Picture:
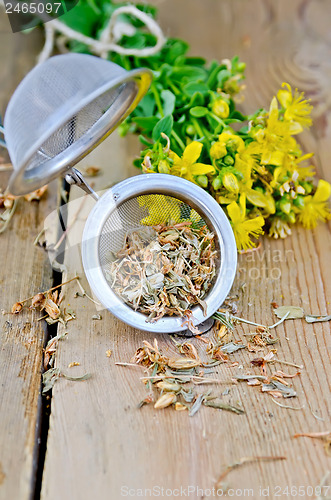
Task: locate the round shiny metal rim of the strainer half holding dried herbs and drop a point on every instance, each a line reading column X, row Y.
column 167, row 185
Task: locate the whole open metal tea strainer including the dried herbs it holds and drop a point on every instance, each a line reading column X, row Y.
column 158, row 251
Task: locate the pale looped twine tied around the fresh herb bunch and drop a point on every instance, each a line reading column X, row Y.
column 105, row 44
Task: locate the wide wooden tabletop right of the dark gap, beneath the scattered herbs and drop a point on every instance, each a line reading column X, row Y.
column 98, row 440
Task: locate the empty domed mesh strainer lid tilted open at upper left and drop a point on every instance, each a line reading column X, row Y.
column 62, row 110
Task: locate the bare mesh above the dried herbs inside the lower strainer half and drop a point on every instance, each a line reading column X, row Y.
column 141, row 212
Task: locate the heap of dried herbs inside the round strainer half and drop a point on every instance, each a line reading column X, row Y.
column 165, row 270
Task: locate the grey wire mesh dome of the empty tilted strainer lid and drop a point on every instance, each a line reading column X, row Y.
column 48, row 94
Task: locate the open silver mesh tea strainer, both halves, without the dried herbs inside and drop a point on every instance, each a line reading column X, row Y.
column 62, row 110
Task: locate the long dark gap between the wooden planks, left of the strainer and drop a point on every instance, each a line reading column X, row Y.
column 45, row 402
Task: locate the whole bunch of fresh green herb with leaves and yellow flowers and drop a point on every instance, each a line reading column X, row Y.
column 191, row 127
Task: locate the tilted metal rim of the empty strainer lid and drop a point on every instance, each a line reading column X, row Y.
column 22, row 182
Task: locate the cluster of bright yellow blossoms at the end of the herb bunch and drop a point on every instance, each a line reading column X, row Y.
column 256, row 173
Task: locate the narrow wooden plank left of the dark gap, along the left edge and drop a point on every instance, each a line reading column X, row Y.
column 24, row 270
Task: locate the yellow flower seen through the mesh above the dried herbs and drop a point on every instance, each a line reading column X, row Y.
column 161, row 209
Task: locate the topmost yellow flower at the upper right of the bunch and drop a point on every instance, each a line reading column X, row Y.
column 297, row 108
